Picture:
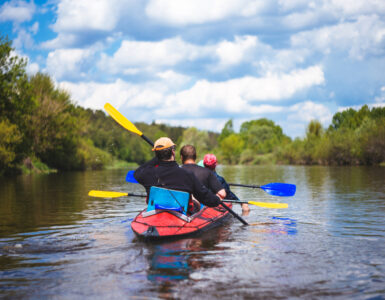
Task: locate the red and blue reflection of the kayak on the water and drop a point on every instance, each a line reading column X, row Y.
column 176, row 260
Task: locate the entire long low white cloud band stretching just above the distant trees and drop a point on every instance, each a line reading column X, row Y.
column 157, row 100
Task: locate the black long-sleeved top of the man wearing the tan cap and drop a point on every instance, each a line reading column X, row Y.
column 169, row 175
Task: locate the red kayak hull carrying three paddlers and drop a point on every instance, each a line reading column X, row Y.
column 163, row 223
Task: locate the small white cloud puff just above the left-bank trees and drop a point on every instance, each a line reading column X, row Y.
column 68, row 62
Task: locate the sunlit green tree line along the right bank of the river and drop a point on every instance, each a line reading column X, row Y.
column 355, row 137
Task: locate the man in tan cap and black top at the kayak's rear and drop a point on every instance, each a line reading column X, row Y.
column 163, row 171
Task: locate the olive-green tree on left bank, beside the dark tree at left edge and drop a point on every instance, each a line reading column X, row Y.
column 54, row 129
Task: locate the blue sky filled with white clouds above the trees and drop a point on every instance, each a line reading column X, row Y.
column 202, row 62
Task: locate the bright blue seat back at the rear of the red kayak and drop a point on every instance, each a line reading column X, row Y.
column 161, row 198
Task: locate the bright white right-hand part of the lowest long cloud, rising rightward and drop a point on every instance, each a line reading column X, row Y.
column 237, row 96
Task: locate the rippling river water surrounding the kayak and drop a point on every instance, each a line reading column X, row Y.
column 57, row 242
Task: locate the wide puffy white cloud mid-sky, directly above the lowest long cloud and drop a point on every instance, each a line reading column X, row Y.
column 134, row 57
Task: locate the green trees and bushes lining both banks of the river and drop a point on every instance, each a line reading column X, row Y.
column 42, row 131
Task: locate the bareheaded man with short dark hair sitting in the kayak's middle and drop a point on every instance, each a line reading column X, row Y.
column 188, row 156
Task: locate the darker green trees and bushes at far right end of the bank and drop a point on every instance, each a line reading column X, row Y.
column 353, row 138
